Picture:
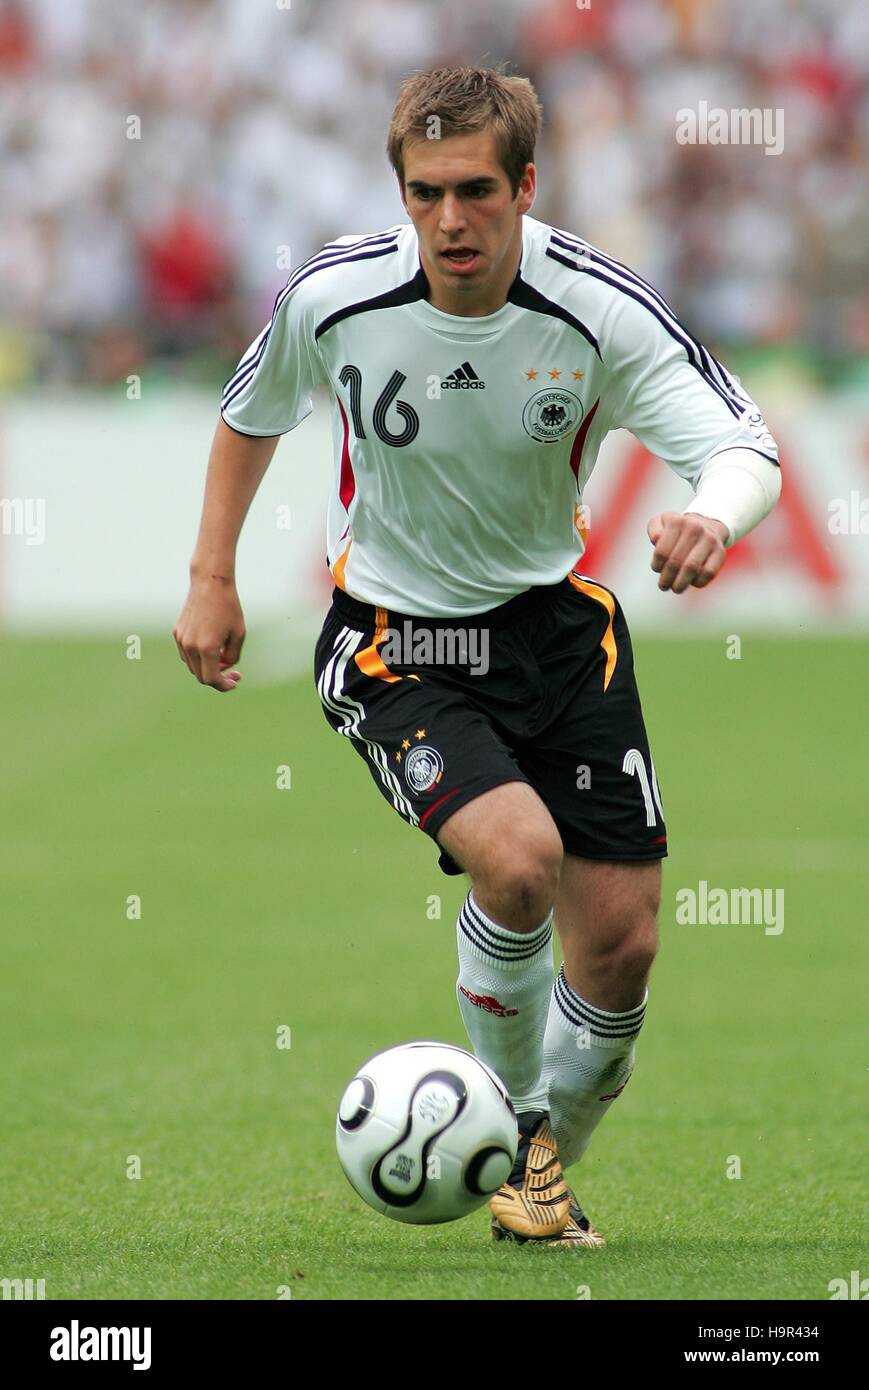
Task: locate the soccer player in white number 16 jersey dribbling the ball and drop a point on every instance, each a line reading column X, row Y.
column 476, row 358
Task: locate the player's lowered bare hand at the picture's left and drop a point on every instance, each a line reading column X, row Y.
column 211, row 632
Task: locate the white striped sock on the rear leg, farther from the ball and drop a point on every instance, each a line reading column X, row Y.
column 589, row 1057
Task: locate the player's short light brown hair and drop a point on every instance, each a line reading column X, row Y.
column 466, row 101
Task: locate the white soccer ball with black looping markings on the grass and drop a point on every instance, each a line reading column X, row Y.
column 426, row 1132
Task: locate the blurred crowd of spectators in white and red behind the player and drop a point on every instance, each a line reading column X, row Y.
column 158, row 245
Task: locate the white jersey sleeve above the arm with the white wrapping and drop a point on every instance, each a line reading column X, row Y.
column 672, row 394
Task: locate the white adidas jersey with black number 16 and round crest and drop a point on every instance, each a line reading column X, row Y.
column 462, row 445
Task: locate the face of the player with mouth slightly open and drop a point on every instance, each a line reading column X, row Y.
column 468, row 222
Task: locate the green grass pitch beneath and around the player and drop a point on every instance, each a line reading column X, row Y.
column 308, row 908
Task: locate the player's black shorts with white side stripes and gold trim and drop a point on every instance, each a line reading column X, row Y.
column 539, row 690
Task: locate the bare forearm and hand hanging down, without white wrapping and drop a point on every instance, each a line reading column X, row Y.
column 211, row 629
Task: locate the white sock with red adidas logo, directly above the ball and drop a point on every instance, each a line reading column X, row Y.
column 504, row 989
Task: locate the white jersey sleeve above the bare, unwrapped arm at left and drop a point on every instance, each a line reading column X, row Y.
column 270, row 391
